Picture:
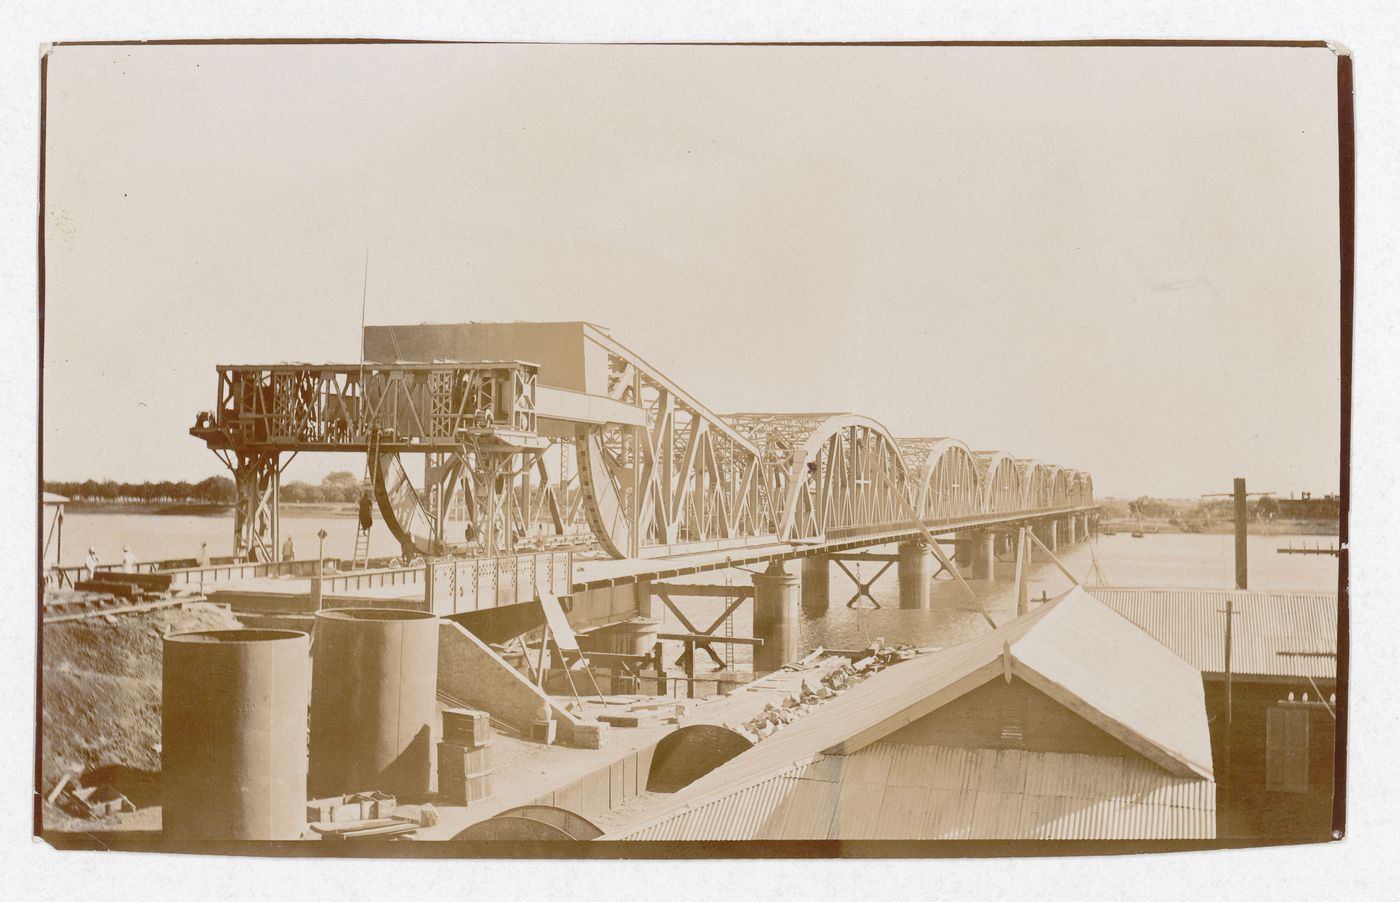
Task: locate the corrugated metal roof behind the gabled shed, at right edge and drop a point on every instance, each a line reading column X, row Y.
column 1290, row 635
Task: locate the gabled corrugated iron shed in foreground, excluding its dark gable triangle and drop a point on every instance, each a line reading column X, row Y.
column 831, row 775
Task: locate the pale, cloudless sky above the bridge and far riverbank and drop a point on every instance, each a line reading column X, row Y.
column 1118, row 260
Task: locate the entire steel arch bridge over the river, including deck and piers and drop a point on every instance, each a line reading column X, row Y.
column 556, row 460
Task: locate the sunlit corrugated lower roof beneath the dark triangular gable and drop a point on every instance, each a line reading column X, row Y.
column 929, row 792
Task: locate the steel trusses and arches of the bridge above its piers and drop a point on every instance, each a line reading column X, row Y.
column 589, row 446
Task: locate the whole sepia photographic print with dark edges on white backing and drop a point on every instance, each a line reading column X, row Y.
column 689, row 452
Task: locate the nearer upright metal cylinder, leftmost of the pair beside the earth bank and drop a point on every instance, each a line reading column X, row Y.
column 234, row 735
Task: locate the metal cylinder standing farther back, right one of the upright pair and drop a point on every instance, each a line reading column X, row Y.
column 373, row 701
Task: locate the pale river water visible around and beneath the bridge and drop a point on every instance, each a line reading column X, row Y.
column 1185, row 561
